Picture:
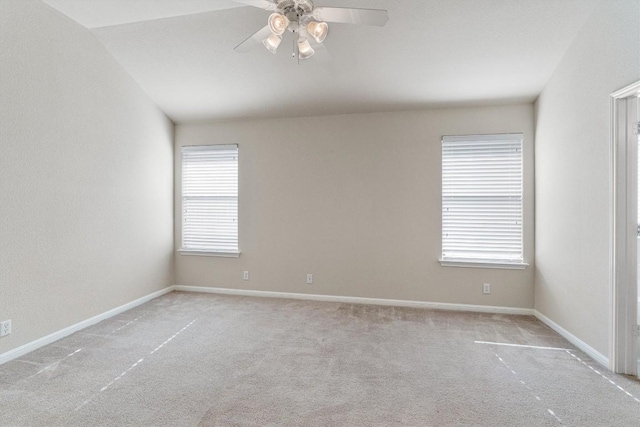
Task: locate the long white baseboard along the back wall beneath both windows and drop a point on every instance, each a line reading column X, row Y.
column 359, row 300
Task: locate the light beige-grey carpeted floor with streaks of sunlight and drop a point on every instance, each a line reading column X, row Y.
column 208, row 360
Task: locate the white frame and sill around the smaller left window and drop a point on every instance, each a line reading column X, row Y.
column 208, row 251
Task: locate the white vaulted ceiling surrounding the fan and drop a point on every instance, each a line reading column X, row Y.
column 431, row 53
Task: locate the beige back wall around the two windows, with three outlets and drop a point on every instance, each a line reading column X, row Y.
column 355, row 200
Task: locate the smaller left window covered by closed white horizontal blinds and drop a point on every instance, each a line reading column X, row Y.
column 210, row 200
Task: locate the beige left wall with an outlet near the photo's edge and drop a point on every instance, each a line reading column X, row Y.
column 86, row 178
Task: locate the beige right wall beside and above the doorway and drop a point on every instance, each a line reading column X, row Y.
column 572, row 171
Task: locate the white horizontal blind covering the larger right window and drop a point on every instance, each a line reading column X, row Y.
column 482, row 198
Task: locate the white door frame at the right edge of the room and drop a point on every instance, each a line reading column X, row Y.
column 623, row 231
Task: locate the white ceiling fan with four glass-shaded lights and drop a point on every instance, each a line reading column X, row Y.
column 309, row 24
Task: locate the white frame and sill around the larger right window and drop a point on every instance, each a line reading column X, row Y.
column 488, row 262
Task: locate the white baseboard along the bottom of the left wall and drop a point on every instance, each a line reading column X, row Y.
column 41, row 342
